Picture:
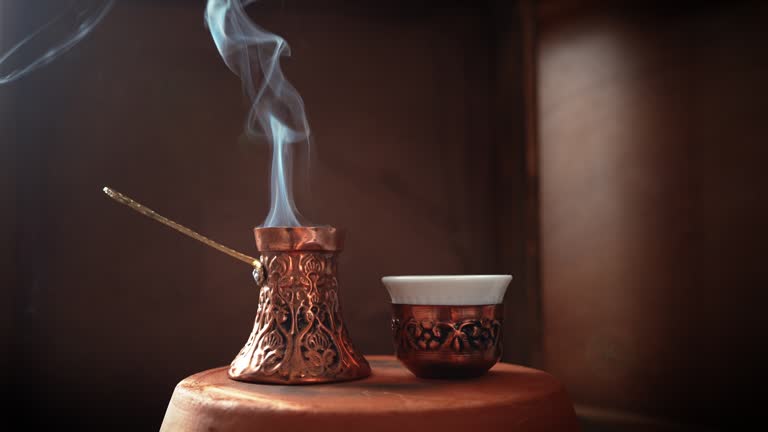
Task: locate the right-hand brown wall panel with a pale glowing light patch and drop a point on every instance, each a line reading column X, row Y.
column 652, row 142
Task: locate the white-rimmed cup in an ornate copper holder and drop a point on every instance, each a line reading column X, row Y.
column 447, row 326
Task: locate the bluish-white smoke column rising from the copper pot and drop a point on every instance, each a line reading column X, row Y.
column 277, row 111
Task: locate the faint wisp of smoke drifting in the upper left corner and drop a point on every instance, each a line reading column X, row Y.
column 46, row 43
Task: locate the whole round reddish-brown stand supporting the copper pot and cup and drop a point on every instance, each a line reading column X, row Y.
column 508, row 398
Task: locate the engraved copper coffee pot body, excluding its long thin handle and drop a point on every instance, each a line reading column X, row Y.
column 299, row 336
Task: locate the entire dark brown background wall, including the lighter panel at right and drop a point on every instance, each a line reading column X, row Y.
column 608, row 154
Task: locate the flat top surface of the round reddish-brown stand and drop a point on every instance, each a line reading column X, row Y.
column 390, row 388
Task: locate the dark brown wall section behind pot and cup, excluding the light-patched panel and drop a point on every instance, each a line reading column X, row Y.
column 416, row 113
